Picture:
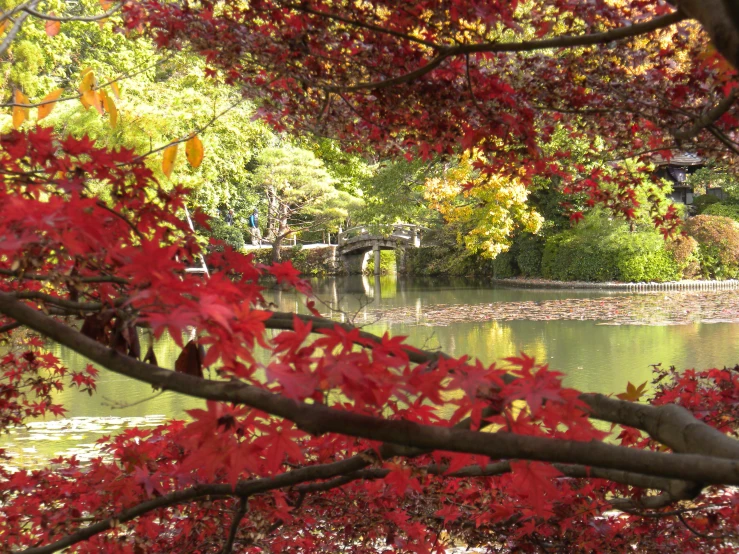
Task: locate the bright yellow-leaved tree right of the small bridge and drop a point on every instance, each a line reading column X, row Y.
column 489, row 208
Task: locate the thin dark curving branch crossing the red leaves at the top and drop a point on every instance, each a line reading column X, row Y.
column 569, row 41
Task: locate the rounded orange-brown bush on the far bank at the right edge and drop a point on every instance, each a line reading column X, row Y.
column 718, row 245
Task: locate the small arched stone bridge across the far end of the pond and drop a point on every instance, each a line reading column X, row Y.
column 356, row 243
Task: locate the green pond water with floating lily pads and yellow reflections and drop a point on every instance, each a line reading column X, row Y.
column 600, row 340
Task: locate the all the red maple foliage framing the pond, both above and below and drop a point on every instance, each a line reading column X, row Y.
column 336, row 442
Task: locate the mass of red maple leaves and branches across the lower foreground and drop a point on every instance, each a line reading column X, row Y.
column 338, row 440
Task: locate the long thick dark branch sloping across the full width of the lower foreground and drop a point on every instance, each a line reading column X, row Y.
column 319, row 419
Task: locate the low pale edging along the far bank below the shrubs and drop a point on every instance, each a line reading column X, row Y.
column 684, row 285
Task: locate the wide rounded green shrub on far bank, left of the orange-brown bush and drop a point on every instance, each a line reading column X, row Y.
column 602, row 250
